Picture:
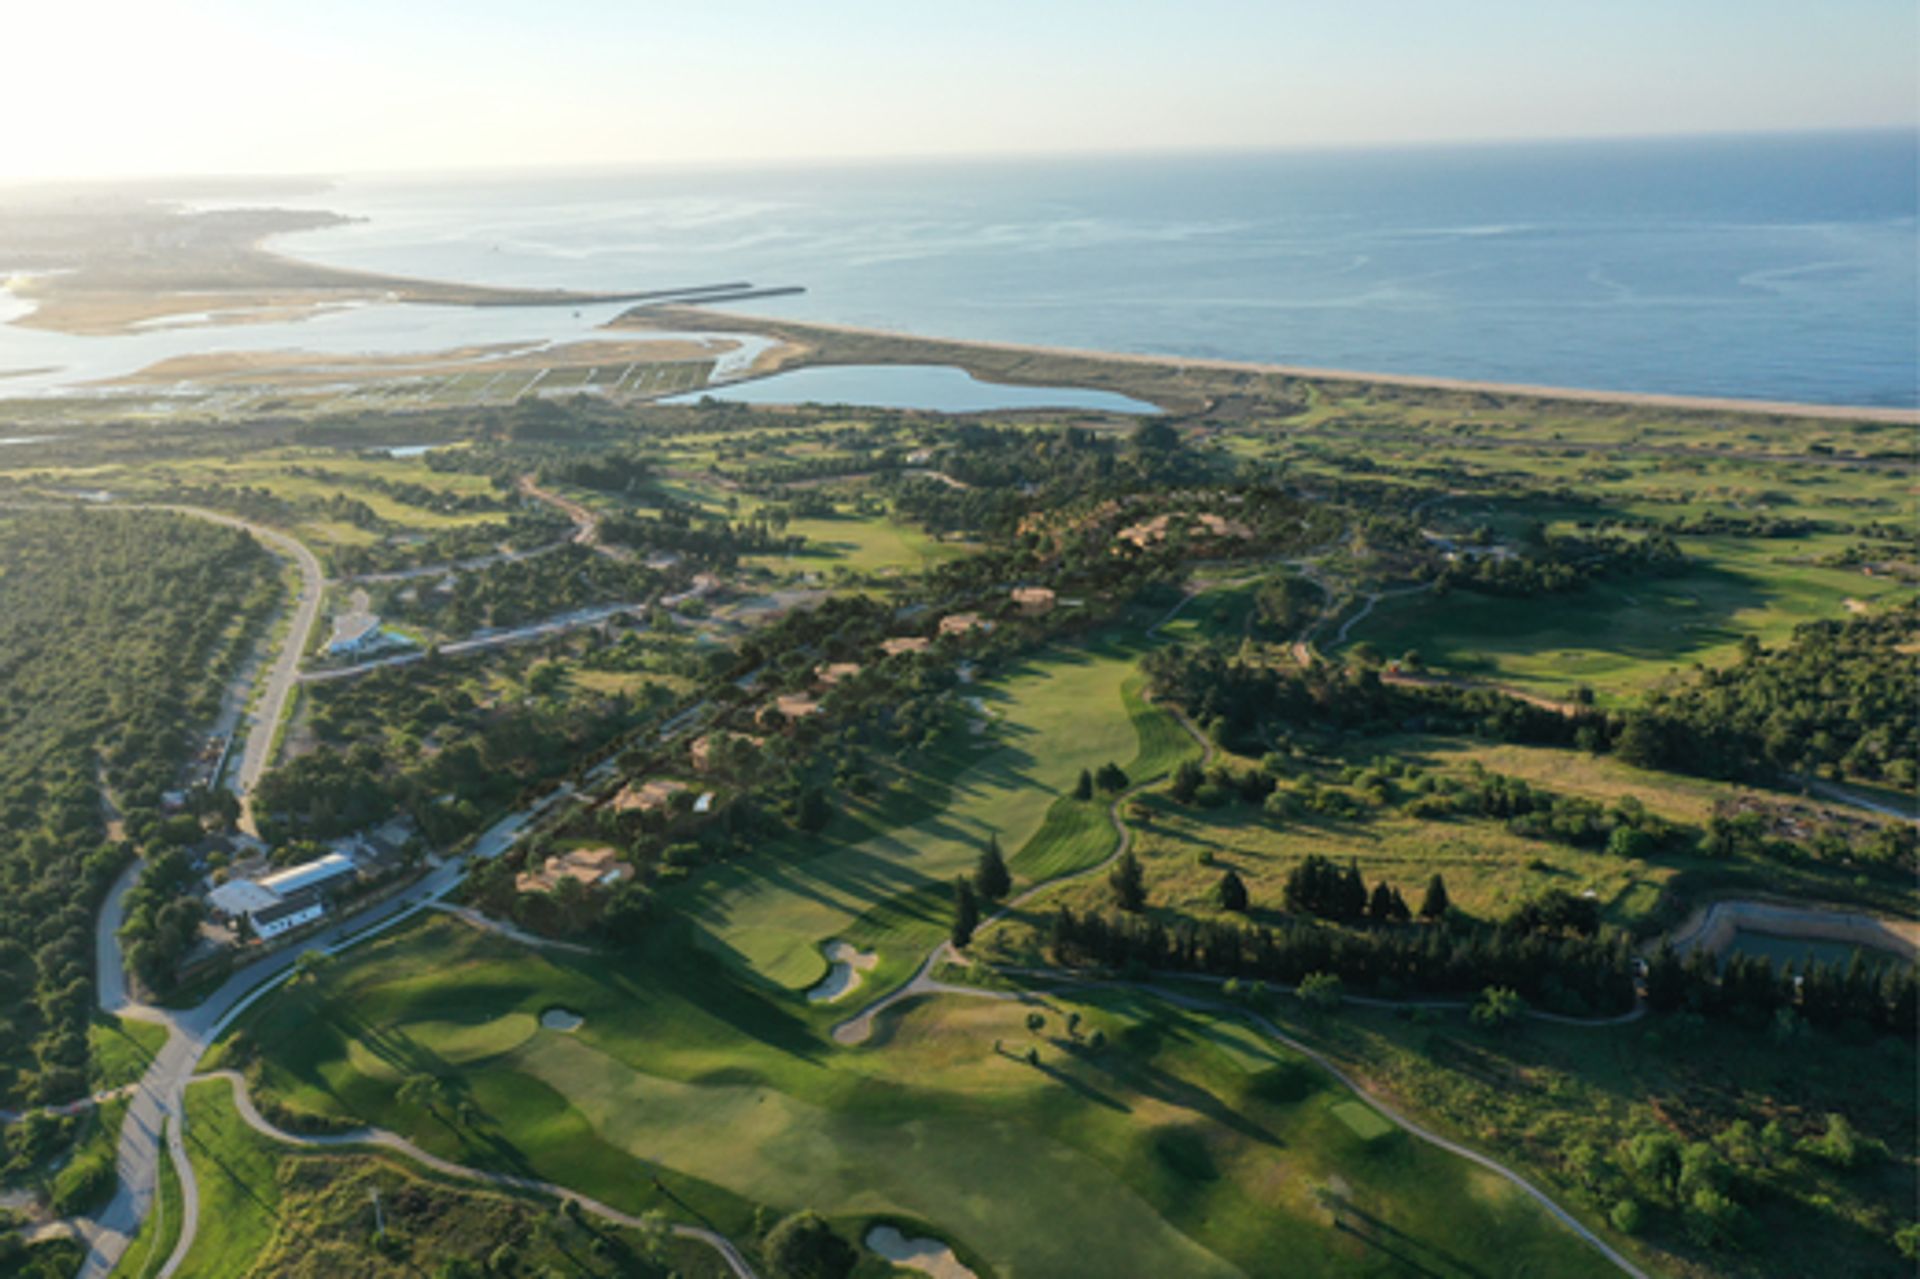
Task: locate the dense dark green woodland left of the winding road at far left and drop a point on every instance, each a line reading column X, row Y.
column 120, row 631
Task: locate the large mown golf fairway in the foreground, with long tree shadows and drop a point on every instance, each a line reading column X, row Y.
column 1184, row 1146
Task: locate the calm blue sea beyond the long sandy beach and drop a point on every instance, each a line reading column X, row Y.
column 1775, row 268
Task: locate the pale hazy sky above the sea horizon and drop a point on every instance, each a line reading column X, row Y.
column 114, row 87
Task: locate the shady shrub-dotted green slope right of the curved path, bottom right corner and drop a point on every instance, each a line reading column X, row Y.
column 1564, row 1101
